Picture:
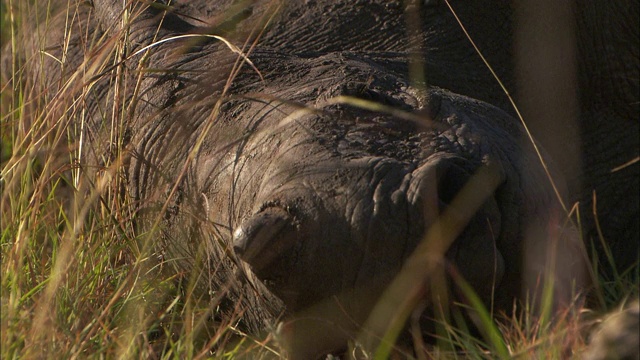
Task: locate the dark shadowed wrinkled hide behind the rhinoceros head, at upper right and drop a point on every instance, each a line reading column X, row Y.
column 595, row 60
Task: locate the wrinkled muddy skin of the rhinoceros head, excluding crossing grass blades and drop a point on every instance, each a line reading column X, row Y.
column 290, row 209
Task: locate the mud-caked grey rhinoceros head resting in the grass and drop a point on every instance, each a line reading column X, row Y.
column 288, row 180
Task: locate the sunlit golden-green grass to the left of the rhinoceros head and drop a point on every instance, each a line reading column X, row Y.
column 77, row 280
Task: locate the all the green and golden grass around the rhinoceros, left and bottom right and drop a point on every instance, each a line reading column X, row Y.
column 78, row 279
